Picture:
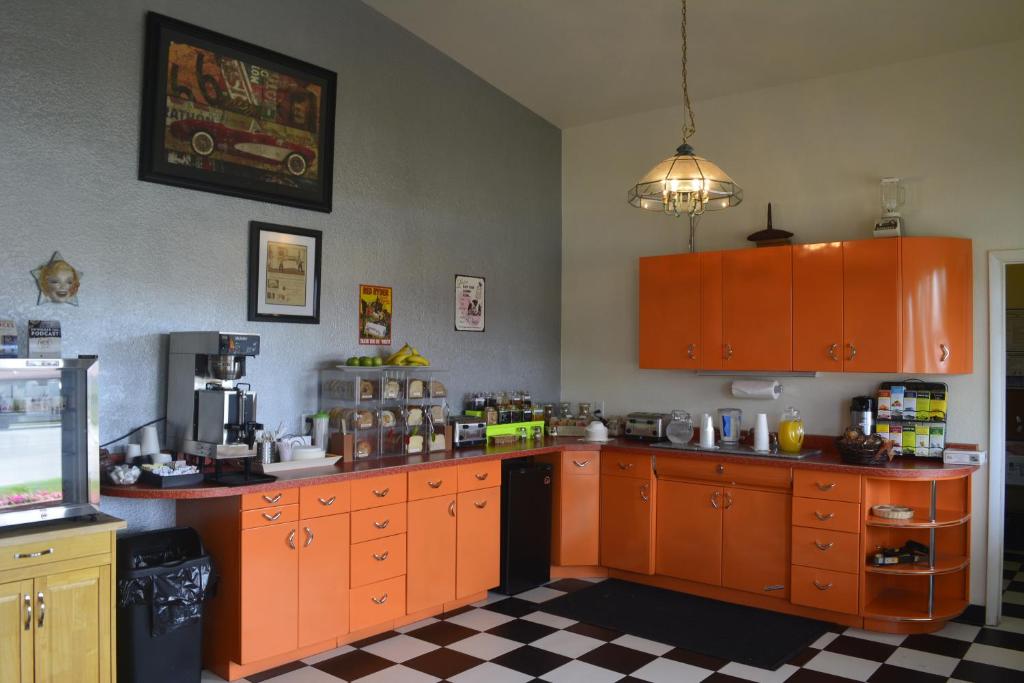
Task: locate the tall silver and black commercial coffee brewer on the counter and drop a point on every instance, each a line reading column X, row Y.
column 210, row 412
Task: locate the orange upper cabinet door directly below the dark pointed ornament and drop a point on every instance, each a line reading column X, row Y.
column 757, row 309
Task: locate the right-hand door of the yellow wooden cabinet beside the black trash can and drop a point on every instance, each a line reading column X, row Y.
column 73, row 627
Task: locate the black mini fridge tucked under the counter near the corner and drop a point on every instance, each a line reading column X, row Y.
column 526, row 560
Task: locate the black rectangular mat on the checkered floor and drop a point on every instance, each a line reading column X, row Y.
column 756, row 637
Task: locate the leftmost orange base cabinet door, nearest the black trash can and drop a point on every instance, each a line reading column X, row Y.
column 270, row 591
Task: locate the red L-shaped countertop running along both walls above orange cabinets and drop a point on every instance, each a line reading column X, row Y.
column 901, row 468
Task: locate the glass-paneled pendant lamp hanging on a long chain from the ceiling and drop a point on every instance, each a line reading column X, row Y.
column 686, row 184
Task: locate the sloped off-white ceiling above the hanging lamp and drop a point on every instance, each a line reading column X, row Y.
column 577, row 62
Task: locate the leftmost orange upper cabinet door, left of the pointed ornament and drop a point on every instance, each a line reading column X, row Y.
column 670, row 312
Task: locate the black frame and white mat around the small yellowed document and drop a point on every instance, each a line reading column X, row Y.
column 264, row 312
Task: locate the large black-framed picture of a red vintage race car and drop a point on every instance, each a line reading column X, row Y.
column 224, row 116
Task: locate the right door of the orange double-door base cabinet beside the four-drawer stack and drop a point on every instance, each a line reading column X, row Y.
column 756, row 542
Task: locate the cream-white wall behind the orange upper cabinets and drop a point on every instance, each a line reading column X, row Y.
column 951, row 125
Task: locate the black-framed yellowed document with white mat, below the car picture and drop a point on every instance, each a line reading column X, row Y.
column 284, row 274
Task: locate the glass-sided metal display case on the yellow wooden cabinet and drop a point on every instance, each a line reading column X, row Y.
column 50, row 440
